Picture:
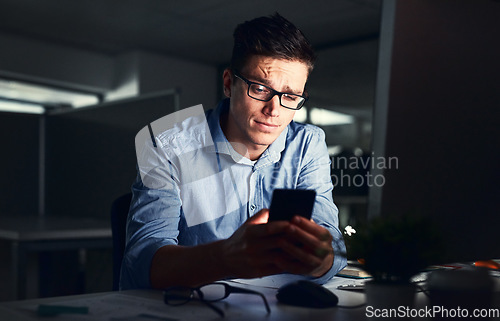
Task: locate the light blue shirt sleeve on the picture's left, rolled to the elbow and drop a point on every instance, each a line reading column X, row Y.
column 154, row 215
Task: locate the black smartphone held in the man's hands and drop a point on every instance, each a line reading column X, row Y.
column 286, row 203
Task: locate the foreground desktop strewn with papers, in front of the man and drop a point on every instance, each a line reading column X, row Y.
column 148, row 305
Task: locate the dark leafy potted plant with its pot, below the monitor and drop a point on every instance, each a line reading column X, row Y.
column 393, row 250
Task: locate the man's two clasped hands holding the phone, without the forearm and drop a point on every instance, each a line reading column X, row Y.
column 257, row 249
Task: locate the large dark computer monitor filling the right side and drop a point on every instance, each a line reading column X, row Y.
column 437, row 112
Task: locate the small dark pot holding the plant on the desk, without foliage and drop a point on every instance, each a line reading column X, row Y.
column 388, row 299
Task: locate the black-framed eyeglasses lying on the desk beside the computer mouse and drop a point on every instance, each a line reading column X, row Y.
column 179, row 295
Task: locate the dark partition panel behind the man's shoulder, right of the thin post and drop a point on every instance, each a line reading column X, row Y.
column 90, row 157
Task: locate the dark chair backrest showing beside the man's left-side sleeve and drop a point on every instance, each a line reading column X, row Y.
column 119, row 213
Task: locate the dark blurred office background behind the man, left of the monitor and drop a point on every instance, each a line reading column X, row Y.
column 136, row 50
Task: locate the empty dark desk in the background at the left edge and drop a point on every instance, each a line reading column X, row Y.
column 34, row 234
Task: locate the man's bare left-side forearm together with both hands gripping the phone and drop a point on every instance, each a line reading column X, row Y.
column 256, row 249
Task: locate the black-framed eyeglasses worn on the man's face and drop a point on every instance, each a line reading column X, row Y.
column 264, row 93
